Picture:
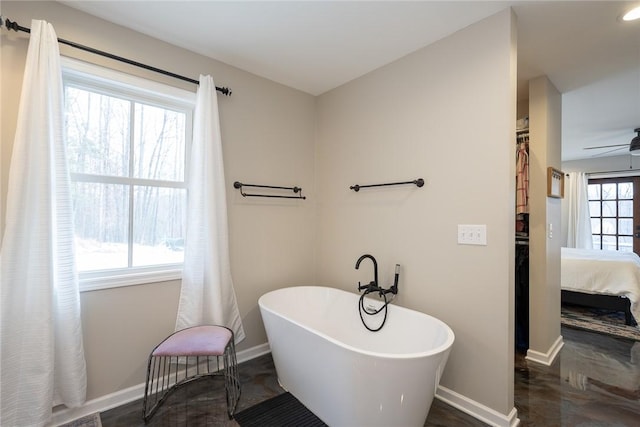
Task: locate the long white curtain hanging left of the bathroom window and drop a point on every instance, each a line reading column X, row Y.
column 42, row 353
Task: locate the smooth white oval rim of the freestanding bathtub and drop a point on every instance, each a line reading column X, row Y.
column 444, row 347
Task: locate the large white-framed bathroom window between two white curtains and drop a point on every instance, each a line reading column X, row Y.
column 127, row 146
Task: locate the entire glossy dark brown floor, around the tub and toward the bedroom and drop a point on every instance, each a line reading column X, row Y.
column 594, row 382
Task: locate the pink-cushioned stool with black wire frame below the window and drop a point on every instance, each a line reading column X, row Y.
column 186, row 356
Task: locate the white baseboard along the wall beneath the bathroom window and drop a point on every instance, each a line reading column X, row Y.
column 121, row 397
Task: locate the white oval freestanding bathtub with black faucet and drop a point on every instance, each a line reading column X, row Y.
column 345, row 374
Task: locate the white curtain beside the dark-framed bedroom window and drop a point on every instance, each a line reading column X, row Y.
column 579, row 222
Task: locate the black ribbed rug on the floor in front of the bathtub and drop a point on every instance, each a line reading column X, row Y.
column 282, row 410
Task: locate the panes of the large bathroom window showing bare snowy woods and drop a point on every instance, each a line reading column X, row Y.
column 127, row 163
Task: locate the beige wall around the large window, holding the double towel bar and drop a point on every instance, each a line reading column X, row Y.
column 268, row 133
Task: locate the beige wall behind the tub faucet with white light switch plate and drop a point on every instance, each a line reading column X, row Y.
column 445, row 113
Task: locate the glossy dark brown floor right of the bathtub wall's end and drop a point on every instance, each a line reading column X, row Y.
column 594, row 382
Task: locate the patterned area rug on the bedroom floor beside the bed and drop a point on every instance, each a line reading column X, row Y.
column 600, row 321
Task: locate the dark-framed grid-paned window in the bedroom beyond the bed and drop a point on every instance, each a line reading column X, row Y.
column 611, row 207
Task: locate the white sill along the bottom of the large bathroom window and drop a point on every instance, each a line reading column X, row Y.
column 96, row 282
